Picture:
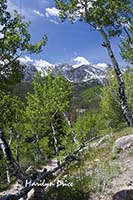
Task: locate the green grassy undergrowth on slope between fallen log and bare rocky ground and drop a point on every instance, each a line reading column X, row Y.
column 92, row 176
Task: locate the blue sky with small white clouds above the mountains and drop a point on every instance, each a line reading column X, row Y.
column 67, row 43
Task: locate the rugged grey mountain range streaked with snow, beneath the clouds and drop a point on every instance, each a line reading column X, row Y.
column 80, row 74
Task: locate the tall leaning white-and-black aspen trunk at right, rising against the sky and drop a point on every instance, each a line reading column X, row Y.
column 123, row 100
